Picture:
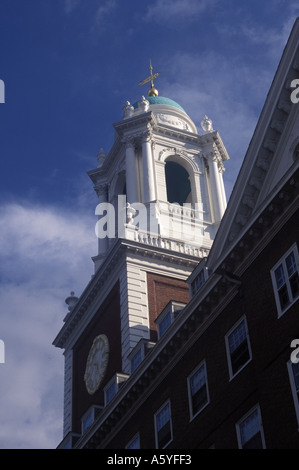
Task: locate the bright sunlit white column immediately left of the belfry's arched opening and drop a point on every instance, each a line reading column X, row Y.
column 148, row 169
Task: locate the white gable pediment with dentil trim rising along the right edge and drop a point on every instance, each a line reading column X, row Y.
column 262, row 169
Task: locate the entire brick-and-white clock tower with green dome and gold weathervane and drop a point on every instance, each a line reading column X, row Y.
column 160, row 201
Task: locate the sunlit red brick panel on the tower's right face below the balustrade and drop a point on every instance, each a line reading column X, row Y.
column 161, row 290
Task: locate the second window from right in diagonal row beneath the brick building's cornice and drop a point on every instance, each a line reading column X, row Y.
column 238, row 347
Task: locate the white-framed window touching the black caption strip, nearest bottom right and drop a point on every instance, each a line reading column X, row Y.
column 250, row 432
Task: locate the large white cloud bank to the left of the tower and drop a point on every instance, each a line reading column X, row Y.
column 44, row 254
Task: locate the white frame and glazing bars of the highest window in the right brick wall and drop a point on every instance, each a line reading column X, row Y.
column 282, row 262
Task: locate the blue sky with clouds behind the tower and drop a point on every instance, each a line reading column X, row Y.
column 68, row 67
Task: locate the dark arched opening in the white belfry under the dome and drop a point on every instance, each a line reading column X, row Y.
column 177, row 183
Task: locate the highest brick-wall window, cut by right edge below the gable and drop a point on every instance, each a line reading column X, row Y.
column 285, row 280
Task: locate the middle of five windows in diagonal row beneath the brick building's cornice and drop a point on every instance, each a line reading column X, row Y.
column 198, row 390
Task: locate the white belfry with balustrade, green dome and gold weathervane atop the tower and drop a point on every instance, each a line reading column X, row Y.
column 160, row 163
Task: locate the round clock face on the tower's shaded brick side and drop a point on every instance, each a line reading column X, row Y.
column 96, row 363
